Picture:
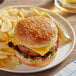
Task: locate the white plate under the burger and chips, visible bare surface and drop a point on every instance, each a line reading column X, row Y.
column 62, row 53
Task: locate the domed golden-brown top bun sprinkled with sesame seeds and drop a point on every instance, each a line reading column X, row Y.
column 36, row 32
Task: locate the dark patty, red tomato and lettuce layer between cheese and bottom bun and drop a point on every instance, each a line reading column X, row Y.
column 28, row 53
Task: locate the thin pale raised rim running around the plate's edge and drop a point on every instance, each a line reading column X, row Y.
column 34, row 71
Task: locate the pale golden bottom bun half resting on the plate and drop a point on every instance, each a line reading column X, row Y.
column 37, row 62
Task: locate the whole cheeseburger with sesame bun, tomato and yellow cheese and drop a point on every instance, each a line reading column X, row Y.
column 38, row 41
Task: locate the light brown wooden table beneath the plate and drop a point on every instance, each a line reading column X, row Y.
column 49, row 4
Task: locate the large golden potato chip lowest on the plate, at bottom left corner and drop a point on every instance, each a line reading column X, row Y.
column 9, row 62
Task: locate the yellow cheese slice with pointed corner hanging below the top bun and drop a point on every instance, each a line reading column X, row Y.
column 42, row 51
